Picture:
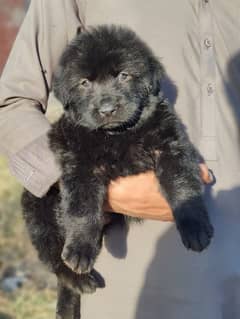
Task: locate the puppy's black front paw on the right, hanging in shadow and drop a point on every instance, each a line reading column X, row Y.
column 195, row 229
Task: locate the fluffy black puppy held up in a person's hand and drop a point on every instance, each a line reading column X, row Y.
column 115, row 124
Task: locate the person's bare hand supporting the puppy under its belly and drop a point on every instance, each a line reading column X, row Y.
column 139, row 196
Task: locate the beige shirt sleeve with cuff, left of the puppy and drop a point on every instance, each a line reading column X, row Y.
column 24, row 89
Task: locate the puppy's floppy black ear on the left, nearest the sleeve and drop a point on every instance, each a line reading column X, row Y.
column 59, row 88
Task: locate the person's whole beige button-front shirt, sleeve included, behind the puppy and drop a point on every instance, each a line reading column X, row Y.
column 198, row 41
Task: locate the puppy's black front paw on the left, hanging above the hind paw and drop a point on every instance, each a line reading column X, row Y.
column 79, row 257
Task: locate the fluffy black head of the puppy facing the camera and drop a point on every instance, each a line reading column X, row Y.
column 106, row 79
